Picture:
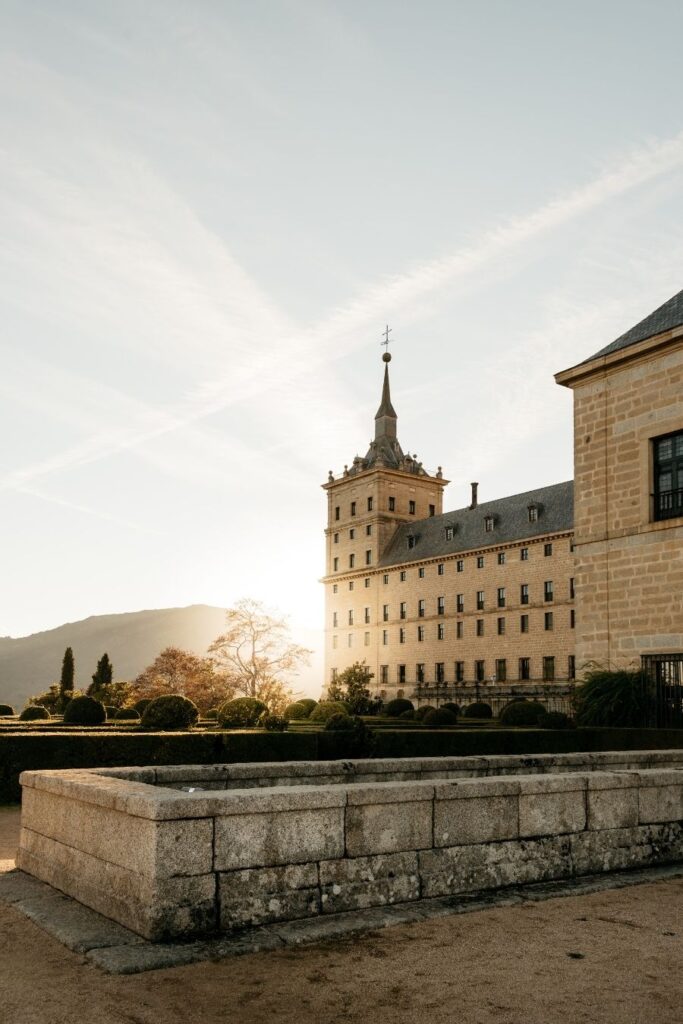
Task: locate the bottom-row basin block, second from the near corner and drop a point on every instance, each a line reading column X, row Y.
column 263, row 895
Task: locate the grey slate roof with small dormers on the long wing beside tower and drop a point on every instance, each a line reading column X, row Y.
column 511, row 523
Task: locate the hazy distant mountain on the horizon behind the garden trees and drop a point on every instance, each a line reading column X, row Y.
column 29, row 665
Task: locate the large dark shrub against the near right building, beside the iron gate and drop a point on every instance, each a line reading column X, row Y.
column 613, row 699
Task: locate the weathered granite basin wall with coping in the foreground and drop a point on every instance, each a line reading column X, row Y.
column 175, row 852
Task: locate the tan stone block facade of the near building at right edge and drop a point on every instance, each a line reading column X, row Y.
column 629, row 562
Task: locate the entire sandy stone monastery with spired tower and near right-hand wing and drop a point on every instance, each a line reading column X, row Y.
column 517, row 596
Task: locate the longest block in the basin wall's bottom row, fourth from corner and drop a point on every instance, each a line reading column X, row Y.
column 468, row 869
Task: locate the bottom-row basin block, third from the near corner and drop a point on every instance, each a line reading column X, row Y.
column 357, row 883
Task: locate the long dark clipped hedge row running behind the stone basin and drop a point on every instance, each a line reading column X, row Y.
column 26, row 751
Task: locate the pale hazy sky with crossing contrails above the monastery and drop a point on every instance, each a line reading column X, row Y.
column 209, row 211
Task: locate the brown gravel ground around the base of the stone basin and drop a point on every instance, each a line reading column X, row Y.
column 613, row 958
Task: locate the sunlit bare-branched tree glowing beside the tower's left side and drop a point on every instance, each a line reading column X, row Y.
column 258, row 656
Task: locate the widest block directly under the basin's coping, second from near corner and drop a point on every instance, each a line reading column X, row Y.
column 279, row 838
